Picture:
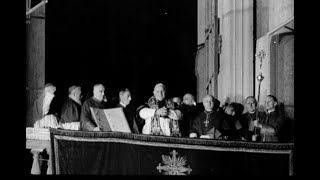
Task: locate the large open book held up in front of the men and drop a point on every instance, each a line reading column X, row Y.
column 112, row 119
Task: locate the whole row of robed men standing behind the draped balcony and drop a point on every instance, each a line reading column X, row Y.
column 164, row 116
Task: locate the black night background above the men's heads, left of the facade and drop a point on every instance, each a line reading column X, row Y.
column 131, row 44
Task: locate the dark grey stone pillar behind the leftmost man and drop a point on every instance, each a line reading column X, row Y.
column 35, row 60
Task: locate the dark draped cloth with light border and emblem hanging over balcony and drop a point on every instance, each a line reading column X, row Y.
column 117, row 153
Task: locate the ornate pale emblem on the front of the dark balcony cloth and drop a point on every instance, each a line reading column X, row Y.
column 174, row 165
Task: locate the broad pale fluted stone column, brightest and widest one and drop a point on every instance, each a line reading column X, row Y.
column 235, row 79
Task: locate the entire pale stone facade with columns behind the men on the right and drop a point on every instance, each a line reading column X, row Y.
column 246, row 27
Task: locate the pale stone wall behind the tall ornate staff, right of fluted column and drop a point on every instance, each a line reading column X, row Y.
column 270, row 15
